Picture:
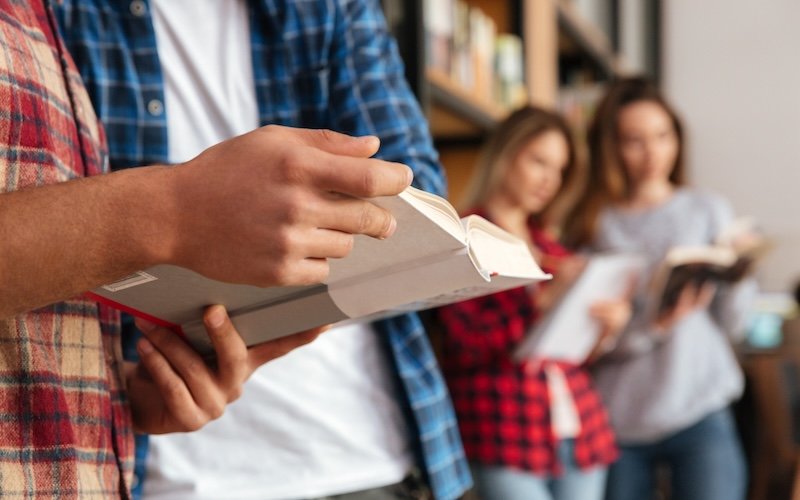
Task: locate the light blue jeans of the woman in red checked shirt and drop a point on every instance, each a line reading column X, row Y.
column 504, row 483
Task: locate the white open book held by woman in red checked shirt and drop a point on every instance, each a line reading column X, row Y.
column 568, row 332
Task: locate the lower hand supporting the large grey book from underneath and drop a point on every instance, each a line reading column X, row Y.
column 173, row 389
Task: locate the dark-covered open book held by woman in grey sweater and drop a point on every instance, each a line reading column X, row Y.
column 729, row 259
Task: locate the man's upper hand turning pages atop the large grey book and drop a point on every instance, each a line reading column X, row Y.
column 269, row 207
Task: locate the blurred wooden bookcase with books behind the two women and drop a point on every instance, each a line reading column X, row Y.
column 567, row 50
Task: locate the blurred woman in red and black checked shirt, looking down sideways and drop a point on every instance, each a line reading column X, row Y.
column 535, row 429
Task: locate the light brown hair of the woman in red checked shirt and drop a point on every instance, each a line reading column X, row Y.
column 503, row 147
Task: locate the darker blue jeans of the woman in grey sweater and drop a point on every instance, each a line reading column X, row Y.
column 705, row 462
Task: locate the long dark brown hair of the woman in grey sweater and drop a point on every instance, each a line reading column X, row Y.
column 608, row 180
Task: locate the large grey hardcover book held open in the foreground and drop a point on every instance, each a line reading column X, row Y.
column 434, row 258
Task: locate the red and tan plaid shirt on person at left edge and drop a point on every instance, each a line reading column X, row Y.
column 65, row 428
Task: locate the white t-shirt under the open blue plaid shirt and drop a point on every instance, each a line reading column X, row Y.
column 323, row 419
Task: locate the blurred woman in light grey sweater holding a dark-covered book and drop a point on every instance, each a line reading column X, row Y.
column 670, row 380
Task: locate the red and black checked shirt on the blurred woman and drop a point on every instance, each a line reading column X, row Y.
column 503, row 406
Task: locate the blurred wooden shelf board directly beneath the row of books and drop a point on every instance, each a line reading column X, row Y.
column 456, row 112
